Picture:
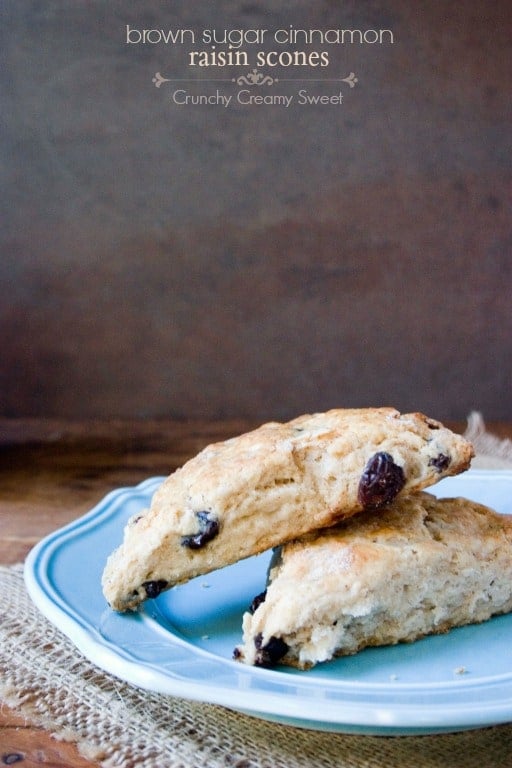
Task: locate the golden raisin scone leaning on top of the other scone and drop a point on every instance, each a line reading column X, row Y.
column 247, row 494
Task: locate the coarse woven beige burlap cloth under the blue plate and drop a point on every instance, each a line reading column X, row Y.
column 45, row 678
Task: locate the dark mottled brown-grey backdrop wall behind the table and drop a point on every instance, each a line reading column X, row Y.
column 164, row 261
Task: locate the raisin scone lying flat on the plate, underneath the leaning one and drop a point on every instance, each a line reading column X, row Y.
column 421, row 566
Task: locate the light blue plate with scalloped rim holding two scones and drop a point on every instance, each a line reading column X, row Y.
column 181, row 644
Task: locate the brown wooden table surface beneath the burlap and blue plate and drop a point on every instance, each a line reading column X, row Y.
column 51, row 472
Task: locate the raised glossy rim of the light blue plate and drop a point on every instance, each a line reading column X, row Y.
column 353, row 716
